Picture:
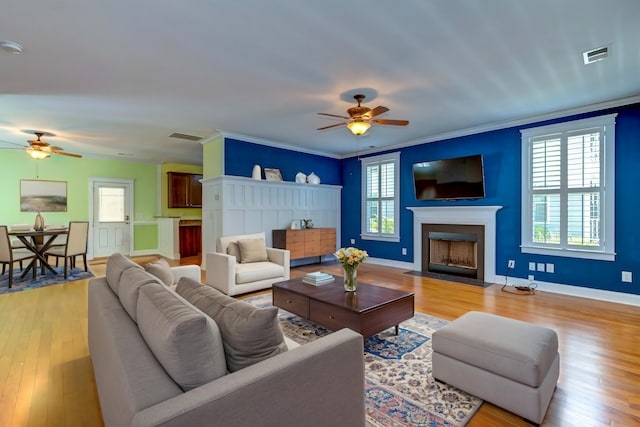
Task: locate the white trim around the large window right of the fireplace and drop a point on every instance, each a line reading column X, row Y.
column 608, row 206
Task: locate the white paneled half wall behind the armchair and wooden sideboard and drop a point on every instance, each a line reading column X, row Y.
column 237, row 205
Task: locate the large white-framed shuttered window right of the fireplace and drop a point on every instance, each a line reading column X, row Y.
column 568, row 189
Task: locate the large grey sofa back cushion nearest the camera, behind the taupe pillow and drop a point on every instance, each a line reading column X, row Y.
column 186, row 342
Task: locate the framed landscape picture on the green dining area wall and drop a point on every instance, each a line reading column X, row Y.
column 43, row 196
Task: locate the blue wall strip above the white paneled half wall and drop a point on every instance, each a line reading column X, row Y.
column 240, row 156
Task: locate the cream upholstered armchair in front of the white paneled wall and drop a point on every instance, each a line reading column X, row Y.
column 232, row 271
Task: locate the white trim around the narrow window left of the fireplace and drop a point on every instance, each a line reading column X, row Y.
column 384, row 158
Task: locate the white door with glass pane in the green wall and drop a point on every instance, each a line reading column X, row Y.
column 111, row 217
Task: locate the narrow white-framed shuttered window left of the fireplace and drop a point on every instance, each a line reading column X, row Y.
column 380, row 198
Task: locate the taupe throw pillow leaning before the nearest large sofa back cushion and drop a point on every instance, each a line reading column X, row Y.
column 249, row 334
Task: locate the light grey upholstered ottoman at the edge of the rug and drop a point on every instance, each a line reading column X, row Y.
column 510, row 363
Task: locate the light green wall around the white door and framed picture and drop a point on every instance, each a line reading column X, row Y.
column 16, row 165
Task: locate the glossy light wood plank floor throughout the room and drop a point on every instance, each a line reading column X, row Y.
column 46, row 378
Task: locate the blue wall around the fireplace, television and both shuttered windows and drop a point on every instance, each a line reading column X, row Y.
column 501, row 151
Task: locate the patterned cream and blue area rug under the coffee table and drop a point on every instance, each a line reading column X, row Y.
column 399, row 388
